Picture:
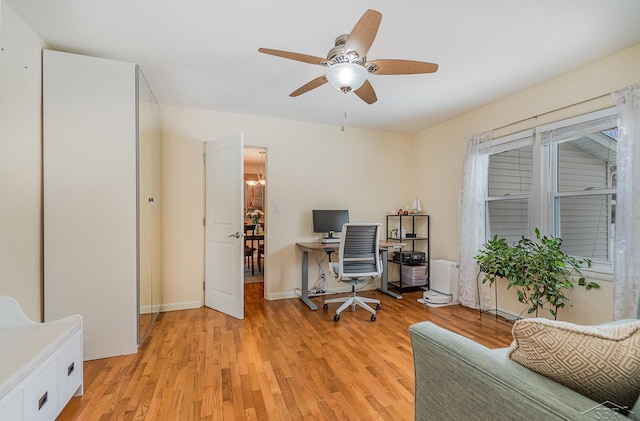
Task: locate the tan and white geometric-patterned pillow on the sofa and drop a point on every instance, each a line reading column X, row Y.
column 600, row 362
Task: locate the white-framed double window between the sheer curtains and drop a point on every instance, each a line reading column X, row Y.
column 560, row 178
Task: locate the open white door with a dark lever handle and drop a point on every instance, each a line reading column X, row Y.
column 224, row 232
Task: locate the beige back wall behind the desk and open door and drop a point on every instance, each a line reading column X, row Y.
column 307, row 166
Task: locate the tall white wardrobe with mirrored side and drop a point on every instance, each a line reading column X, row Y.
column 102, row 207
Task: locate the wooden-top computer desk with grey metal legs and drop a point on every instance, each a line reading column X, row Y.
column 329, row 248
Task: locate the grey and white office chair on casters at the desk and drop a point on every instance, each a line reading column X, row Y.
column 359, row 263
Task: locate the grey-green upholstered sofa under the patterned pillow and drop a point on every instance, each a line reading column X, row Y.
column 459, row 379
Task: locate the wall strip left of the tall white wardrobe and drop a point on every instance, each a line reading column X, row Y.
column 20, row 169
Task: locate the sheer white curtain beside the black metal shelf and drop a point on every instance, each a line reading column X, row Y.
column 471, row 210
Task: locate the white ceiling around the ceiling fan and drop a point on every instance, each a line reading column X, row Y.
column 204, row 53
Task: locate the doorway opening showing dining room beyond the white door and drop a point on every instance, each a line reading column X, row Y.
column 255, row 185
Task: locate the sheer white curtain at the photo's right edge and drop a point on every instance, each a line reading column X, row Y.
column 626, row 258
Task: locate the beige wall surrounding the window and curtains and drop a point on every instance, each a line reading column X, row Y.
column 441, row 149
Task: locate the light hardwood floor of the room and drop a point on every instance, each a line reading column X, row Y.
column 282, row 362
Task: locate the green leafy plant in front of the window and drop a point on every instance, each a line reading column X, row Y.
column 539, row 270
